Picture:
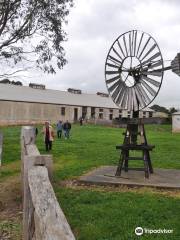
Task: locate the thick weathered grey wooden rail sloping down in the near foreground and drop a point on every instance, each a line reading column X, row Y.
column 50, row 222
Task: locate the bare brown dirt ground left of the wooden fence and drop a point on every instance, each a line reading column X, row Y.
column 10, row 209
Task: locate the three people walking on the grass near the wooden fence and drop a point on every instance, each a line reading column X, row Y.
column 49, row 134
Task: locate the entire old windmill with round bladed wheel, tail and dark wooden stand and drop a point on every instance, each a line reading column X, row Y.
column 134, row 71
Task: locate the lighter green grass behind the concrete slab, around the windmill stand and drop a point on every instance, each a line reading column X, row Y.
column 92, row 146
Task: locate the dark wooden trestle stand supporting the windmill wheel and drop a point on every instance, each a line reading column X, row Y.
column 135, row 128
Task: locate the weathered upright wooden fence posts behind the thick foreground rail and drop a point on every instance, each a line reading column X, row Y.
column 30, row 156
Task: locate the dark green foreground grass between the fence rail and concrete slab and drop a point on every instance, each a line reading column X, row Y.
column 114, row 216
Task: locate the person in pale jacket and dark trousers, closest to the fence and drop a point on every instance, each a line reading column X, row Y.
column 48, row 135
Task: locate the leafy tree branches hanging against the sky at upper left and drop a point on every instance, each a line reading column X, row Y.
column 31, row 34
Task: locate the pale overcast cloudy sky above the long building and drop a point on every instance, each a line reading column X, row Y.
column 93, row 25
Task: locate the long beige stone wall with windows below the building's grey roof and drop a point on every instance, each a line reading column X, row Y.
column 23, row 113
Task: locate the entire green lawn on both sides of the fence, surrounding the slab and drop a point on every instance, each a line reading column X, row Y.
column 99, row 213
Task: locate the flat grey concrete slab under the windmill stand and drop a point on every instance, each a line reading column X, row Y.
column 161, row 178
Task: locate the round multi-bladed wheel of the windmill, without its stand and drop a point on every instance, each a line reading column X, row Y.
column 134, row 70
